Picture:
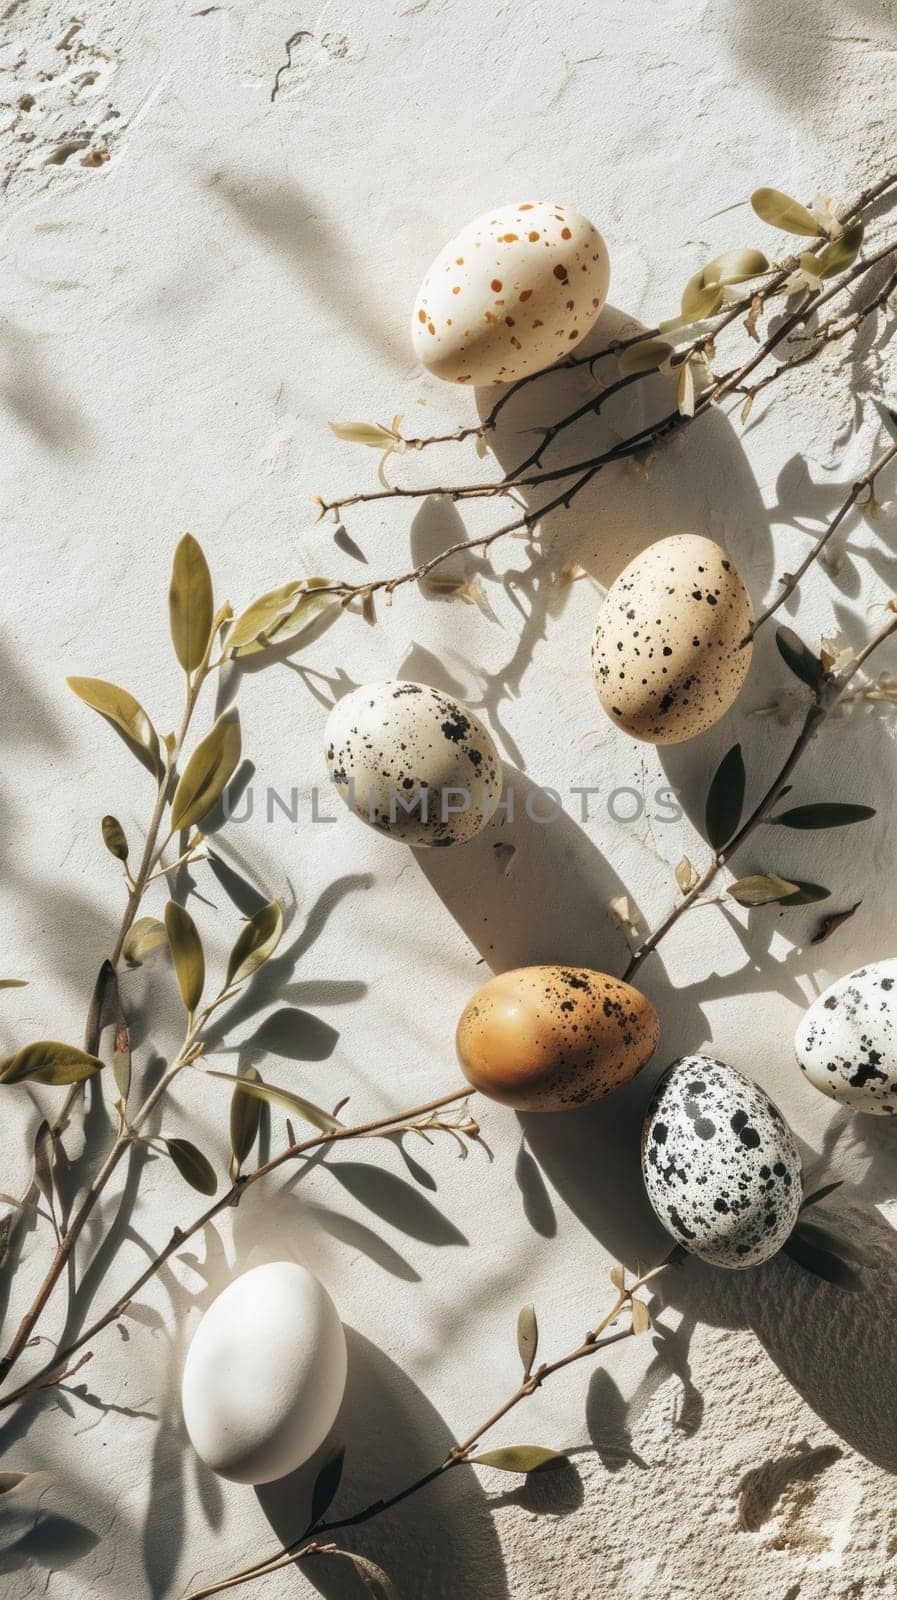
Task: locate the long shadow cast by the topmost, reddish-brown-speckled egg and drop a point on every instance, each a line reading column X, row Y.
column 700, row 481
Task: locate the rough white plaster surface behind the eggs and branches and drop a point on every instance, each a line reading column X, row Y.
column 177, row 327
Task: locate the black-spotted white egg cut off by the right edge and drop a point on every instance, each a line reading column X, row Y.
column 848, row 1039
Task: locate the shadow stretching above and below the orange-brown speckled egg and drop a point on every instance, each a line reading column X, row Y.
column 528, row 894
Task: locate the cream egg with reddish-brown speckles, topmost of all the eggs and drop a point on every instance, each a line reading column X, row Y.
column 512, row 294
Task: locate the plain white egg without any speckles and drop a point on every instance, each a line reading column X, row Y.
column 265, row 1375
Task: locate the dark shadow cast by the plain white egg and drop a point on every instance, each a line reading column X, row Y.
column 393, row 1434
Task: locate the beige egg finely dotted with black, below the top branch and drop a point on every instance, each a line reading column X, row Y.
column 668, row 652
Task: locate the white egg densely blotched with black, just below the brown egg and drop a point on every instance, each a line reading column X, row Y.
column 720, row 1164
